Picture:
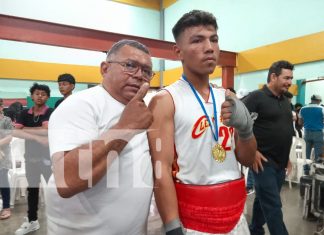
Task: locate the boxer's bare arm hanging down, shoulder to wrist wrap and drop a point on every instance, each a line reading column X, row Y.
column 161, row 140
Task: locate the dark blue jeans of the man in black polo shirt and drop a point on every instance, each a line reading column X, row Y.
column 267, row 204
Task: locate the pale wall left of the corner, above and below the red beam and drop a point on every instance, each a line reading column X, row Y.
column 95, row 14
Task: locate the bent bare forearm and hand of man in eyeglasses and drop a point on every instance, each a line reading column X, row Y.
column 94, row 159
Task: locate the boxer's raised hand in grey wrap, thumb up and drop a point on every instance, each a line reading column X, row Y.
column 235, row 114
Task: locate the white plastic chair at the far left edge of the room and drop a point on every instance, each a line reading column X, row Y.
column 17, row 175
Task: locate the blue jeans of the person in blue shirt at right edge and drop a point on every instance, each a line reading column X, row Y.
column 314, row 139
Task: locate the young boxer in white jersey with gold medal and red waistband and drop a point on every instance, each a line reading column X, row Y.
column 198, row 136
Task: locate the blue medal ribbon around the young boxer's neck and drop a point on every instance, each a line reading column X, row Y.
column 215, row 134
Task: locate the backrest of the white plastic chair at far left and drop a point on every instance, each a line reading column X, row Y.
column 17, row 146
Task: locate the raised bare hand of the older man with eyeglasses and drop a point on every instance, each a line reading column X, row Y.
column 136, row 115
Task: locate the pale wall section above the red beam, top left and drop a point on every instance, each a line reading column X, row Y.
column 95, row 14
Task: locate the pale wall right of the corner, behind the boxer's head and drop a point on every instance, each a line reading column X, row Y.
column 247, row 24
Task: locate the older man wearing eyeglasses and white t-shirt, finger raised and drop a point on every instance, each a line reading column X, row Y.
column 102, row 181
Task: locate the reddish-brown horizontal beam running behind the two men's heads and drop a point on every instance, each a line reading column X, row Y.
column 47, row 33
